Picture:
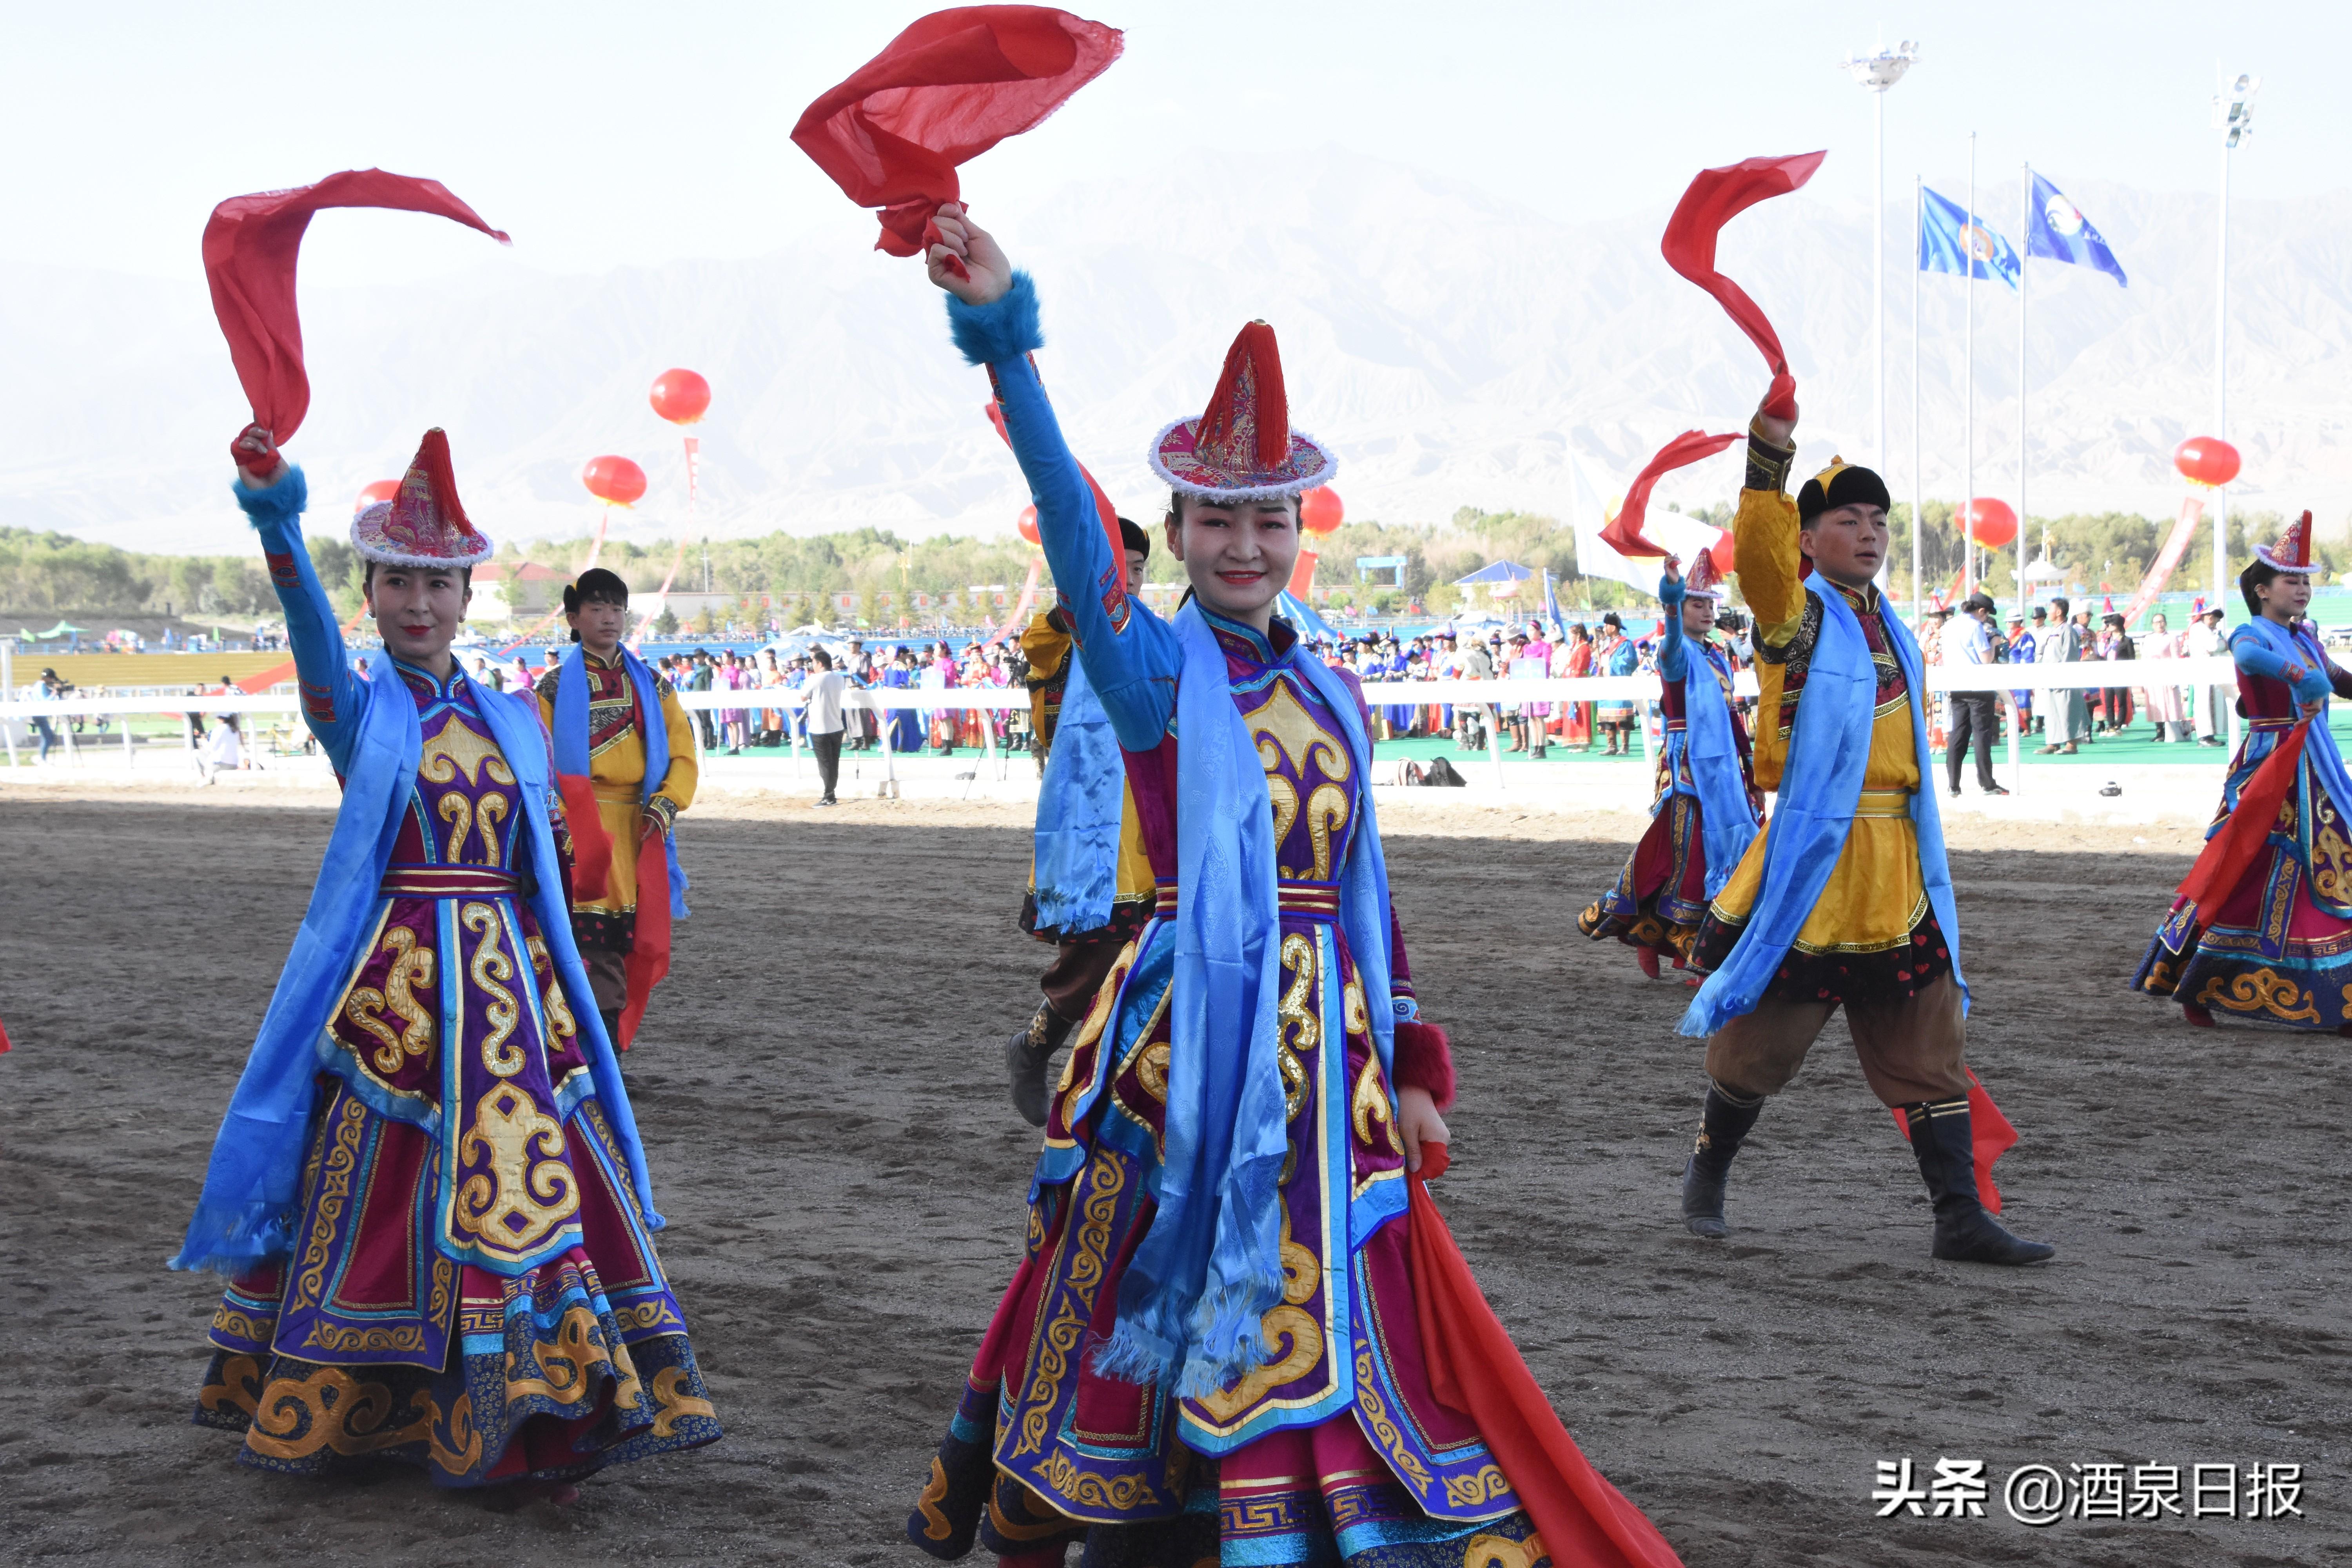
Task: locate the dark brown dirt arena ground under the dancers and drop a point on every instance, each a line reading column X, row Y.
column 822, row 1097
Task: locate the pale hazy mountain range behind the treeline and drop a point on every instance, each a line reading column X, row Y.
column 1457, row 349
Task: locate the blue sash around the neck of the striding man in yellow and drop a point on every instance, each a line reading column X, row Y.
column 1829, row 751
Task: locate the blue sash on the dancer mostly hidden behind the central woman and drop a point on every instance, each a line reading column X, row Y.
column 1081, row 808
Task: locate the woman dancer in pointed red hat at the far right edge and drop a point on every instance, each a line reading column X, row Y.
column 2264, row 925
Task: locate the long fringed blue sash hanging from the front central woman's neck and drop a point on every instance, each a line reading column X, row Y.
column 1210, row 1268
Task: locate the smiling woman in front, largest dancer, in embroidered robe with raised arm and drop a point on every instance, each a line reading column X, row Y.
column 1212, row 1346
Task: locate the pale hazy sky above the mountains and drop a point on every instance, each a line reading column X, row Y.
column 606, row 133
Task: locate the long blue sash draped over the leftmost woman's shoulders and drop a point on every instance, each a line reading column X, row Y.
column 253, row 1186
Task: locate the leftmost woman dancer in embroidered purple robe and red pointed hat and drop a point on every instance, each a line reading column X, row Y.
column 429, row 1191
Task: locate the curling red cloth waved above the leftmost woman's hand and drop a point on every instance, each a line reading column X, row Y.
column 250, row 253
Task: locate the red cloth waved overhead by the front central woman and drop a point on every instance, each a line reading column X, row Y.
column 940, row 95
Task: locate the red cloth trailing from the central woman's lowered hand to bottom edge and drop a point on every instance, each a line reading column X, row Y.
column 1478, row 1372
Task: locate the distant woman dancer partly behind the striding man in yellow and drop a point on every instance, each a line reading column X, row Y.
column 1709, row 803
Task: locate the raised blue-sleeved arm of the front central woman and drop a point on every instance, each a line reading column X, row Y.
column 1130, row 655
